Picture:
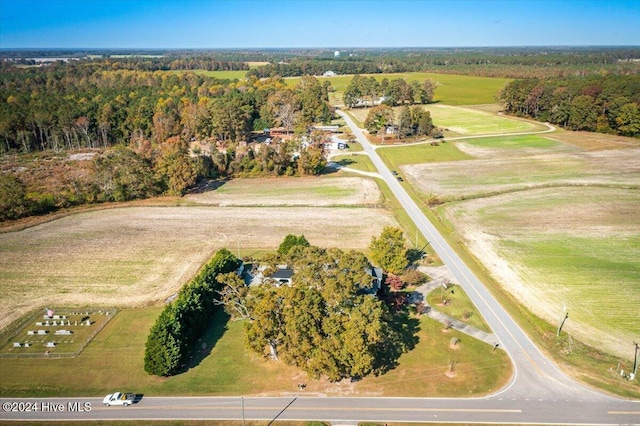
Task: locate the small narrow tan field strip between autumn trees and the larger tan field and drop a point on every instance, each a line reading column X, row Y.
column 304, row 191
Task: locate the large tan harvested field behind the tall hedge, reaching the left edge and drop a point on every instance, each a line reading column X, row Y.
column 138, row 256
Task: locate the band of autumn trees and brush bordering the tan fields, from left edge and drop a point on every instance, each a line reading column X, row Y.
column 122, row 173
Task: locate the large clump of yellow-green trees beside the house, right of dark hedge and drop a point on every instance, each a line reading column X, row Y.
column 324, row 323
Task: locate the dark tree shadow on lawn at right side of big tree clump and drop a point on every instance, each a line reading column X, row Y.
column 403, row 337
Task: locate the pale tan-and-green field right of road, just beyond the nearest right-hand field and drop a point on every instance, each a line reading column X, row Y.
column 504, row 166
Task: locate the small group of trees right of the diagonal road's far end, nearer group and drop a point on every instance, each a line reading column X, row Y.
column 411, row 121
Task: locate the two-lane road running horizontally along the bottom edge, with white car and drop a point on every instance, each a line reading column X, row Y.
column 345, row 410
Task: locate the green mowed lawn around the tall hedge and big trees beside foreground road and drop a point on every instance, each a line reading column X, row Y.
column 115, row 360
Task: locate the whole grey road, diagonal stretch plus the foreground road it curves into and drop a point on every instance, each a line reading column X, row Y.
column 538, row 392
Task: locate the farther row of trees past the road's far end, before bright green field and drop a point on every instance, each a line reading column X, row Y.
column 363, row 91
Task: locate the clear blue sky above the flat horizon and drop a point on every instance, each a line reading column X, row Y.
column 334, row 24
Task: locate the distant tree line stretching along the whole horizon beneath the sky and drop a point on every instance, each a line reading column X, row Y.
column 511, row 62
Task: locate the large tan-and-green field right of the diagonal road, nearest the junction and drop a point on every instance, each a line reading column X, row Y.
column 573, row 247
